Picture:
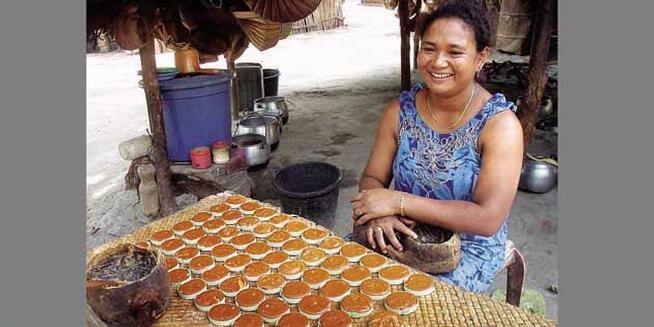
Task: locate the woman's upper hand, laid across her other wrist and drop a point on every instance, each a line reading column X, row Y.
column 374, row 203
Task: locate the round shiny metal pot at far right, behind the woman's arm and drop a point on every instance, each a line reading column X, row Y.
column 539, row 175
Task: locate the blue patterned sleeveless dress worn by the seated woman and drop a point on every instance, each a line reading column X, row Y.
column 446, row 167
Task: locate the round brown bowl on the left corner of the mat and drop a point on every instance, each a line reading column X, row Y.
column 127, row 303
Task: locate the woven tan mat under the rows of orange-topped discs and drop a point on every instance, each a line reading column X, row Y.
column 446, row 306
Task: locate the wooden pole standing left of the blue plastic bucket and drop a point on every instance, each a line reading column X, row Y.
column 155, row 115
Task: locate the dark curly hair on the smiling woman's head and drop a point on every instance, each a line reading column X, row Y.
column 471, row 12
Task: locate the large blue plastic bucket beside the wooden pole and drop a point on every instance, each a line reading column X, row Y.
column 196, row 111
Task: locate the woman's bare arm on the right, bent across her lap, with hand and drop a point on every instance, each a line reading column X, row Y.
column 501, row 145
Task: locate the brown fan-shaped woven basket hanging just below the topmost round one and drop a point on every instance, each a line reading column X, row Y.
column 261, row 32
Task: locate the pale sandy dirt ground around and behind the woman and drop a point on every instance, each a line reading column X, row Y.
column 337, row 83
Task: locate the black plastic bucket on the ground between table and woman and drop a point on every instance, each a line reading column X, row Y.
column 310, row 190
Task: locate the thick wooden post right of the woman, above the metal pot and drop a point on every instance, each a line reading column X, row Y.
column 537, row 78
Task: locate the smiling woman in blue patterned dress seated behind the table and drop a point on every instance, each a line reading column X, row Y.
column 453, row 150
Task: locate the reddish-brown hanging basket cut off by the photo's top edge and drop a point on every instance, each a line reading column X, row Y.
column 283, row 11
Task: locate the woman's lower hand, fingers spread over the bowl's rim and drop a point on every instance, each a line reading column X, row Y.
column 386, row 226
